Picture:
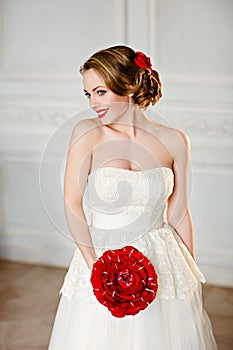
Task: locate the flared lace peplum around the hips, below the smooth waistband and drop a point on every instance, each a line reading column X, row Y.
column 178, row 273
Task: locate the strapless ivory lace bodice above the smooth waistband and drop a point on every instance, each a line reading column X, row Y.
column 128, row 191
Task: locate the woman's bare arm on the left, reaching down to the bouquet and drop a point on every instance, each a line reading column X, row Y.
column 78, row 166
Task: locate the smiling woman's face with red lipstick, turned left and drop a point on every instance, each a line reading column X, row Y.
column 108, row 105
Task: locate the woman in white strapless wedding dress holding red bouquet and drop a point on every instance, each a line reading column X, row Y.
column 133, row 168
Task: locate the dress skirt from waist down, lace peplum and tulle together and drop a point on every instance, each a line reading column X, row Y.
column 175, row 320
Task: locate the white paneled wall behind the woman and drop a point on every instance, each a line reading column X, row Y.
column 43, row 44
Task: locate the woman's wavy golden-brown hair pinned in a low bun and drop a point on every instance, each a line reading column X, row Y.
column 122, row 76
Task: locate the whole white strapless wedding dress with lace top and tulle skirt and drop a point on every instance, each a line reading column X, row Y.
column 128, row 208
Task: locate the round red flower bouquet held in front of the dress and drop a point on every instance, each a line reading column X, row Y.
column 124, row 280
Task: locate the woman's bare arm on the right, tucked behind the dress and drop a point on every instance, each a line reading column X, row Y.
column 178, row 212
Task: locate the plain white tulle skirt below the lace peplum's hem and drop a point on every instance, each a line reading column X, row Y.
column 172, row 324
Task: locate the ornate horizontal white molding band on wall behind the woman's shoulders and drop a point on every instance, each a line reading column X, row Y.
column 203, row 122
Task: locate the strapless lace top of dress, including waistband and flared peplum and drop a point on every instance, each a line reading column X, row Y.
column 127, row 208
